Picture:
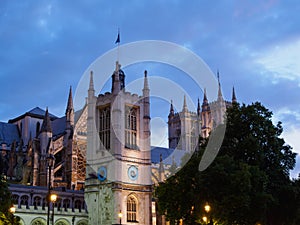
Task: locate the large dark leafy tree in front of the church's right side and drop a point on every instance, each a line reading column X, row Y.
column 247, row 183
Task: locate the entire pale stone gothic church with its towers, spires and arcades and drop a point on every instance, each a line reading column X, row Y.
column 104, row 163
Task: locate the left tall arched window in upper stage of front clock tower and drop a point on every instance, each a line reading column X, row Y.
column 104, row 127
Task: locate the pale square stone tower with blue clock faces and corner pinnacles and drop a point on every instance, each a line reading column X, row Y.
column 118, row 187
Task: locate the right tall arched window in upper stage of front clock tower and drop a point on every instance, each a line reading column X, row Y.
column 131, row 128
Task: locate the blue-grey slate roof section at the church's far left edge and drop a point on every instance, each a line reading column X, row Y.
column 8, row 133
